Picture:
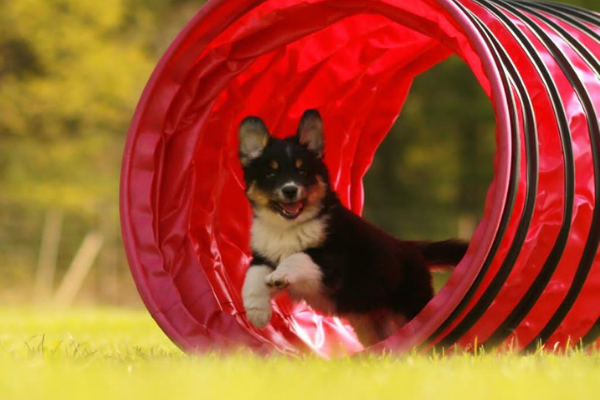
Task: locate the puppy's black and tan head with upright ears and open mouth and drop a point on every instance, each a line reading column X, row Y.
column 286, row 179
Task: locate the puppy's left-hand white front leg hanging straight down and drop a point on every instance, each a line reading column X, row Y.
column 257, row 295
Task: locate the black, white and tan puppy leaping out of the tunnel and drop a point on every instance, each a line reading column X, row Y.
column 305, row 241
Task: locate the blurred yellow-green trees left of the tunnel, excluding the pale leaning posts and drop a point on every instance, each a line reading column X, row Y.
column 71, row 73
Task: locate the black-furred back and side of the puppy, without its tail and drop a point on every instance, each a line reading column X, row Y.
column 365, row 269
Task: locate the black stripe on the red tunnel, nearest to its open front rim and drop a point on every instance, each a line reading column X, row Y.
column 494, row 46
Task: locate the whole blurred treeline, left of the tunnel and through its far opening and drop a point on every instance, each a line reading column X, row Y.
column 71, row 73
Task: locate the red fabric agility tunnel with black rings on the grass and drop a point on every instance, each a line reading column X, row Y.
column 531, row 274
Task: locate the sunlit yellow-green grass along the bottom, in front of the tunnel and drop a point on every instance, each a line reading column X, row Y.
column 108, row 353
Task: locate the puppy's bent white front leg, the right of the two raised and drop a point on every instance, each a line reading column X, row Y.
column 299, row 274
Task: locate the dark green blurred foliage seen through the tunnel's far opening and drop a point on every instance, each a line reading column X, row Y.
column 436, row 163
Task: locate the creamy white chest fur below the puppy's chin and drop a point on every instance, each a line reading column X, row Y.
column 277, row 240
